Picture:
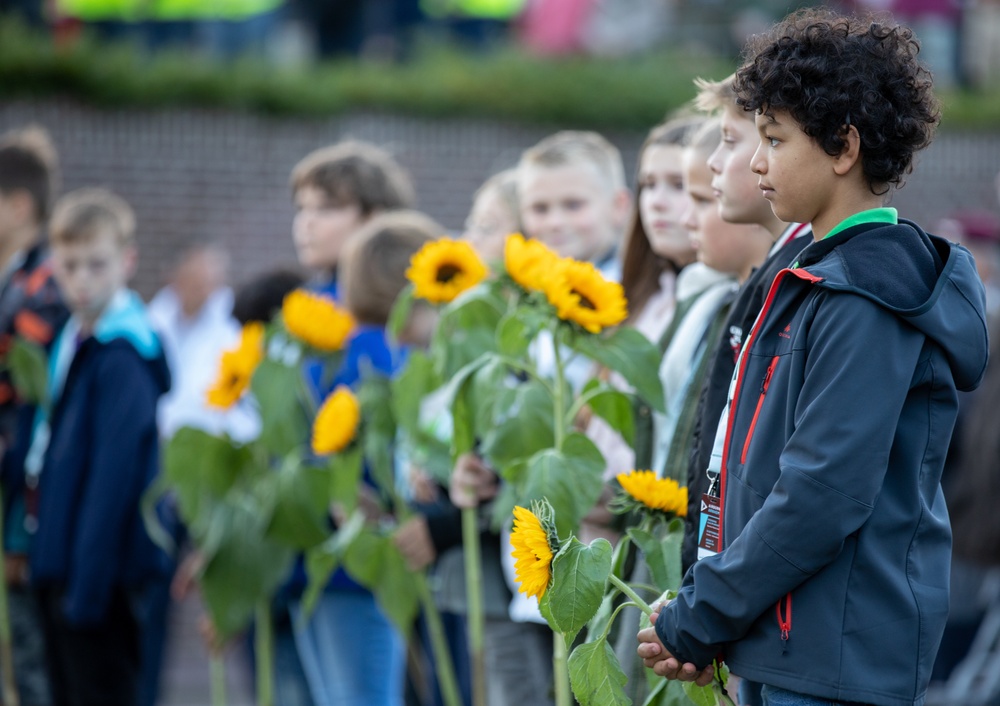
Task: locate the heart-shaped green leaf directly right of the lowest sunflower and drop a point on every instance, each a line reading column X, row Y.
column 579, row 575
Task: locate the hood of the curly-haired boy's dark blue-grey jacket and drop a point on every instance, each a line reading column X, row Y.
column 927, row 281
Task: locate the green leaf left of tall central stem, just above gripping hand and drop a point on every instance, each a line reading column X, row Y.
column 525, row 427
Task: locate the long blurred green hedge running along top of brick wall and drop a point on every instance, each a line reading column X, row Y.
column 628, row 93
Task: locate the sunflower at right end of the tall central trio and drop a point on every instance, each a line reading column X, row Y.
column 581, row 294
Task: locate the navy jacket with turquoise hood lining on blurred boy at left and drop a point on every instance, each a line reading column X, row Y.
column 102, row 454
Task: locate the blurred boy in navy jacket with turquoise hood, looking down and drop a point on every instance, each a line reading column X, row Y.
column 94, row 455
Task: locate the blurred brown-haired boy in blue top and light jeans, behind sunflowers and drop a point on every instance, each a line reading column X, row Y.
column 337, row 190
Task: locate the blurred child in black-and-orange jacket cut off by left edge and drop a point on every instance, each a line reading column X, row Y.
column 30, row 308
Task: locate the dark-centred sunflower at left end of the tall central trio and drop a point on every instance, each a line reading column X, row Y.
column 443, row 269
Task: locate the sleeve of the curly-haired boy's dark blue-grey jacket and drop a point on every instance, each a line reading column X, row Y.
column 859, row 366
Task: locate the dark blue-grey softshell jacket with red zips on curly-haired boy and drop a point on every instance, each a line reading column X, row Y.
column 834, row 577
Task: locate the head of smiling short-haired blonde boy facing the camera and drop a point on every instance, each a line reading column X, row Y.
column 573, row 197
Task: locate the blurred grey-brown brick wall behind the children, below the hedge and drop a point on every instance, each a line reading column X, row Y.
column 224, row 174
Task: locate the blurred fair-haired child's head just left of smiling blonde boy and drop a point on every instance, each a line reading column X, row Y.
column 495, row 215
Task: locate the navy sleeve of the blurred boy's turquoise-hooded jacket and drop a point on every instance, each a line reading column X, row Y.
column 122, row 451
